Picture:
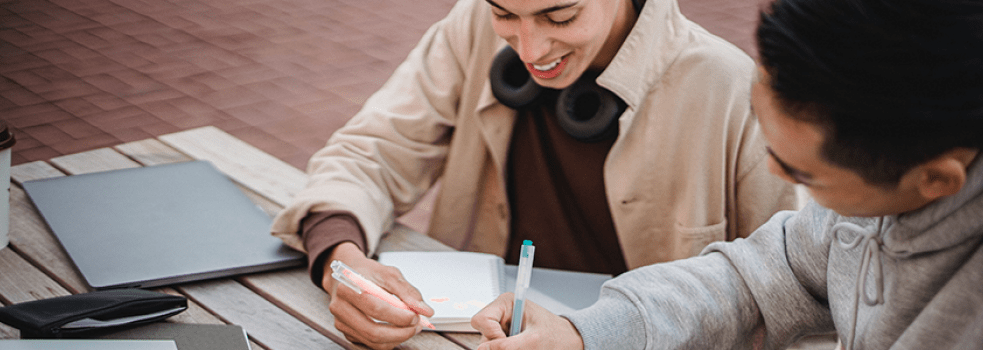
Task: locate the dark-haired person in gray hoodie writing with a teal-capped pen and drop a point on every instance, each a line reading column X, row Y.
column 876, row 106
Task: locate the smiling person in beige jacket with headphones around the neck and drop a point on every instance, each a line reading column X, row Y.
column 617, row 133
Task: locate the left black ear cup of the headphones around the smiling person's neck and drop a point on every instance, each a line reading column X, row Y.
column 510, row 81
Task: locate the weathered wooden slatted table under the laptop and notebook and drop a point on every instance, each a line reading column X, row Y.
column 279, row 310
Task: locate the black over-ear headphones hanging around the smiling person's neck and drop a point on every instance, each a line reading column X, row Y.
column 585, row 110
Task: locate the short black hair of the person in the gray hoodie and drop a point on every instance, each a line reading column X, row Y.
column 893, row 83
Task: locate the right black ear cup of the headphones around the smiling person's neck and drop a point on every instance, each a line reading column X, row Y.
column 587, row 111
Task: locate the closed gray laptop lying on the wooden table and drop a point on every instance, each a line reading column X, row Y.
column 158, row 225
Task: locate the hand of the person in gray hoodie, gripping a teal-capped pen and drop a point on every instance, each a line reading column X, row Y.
column 540, row 328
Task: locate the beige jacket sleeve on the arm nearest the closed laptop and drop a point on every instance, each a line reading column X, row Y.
column 392, row 151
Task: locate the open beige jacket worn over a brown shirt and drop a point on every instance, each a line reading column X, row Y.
column 688, row 167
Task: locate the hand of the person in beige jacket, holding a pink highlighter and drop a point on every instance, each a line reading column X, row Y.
column 355, row 314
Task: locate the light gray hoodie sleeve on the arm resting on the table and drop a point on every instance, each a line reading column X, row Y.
column 762, row 292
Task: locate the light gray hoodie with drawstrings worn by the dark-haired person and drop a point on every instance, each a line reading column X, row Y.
column 910, row 281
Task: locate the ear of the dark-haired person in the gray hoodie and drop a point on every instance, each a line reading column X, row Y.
column 944, row 175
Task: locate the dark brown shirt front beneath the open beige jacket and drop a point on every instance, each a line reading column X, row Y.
column 556, row 192
